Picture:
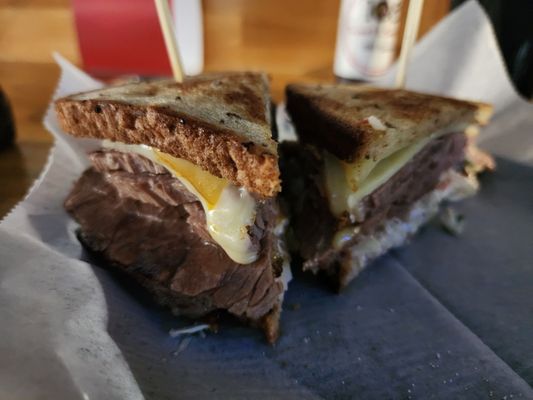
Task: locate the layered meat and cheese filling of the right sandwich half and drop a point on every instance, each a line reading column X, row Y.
column 339, row 235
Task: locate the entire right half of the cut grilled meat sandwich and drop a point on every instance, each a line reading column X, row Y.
column 371, row 166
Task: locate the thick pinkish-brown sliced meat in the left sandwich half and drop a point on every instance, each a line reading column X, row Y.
column 144, row 222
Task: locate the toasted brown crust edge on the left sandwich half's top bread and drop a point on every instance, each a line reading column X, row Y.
column 220, row 152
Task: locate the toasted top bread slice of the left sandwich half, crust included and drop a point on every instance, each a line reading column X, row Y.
column 218, row 121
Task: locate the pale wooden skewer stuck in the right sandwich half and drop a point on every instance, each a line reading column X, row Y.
column 410, row 32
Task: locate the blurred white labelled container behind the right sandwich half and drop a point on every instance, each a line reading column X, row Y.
column 366, row 38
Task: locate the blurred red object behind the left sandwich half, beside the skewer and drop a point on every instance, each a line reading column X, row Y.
column 119, row 37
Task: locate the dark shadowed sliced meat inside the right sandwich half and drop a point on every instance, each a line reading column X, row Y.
column 313, row 224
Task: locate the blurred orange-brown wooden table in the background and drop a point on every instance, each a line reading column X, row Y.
column 291, row 39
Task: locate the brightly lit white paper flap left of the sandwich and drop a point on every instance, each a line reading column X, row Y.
column 53, row 312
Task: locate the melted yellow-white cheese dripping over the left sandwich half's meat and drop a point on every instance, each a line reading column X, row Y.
column 229, row 210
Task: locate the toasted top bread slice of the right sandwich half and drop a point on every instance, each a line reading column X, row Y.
column 362, row 122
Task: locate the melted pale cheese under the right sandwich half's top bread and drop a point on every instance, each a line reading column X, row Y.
column 347, row 184
